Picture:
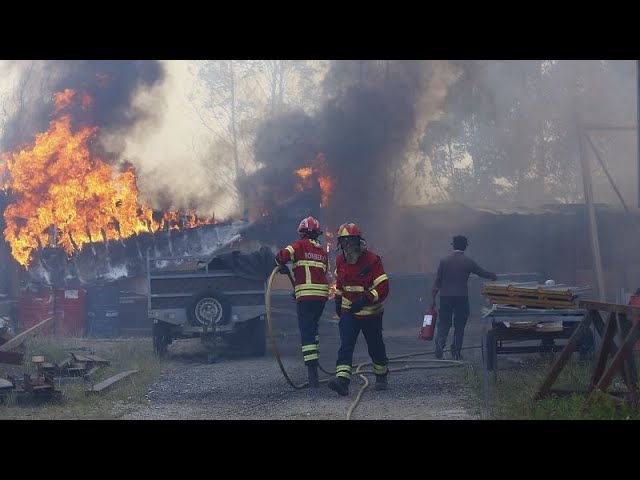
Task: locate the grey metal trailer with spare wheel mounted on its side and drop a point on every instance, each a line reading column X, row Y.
column 191, row 297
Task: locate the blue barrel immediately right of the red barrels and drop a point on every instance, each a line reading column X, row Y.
column 102, row 311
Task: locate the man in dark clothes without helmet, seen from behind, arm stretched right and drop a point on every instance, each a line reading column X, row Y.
column 451, row 281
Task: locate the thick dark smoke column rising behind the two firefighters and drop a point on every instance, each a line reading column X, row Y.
column 362, row 129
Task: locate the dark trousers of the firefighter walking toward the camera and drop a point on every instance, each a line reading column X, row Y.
column 350, row 328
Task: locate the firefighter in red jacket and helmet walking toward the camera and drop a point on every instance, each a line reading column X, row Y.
column 361, row 287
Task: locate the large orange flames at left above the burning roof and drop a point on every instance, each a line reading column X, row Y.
column 64, row 195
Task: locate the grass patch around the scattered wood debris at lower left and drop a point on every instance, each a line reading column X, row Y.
column 122, row 397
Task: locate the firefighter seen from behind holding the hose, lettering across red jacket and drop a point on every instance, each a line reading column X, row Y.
column 310, row 263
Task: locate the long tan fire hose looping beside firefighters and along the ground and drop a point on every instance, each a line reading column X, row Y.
column 435, row 363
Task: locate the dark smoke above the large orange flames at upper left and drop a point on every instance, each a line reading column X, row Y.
column 112, row 85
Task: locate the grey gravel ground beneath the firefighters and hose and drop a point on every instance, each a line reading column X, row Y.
column 254, row 388
